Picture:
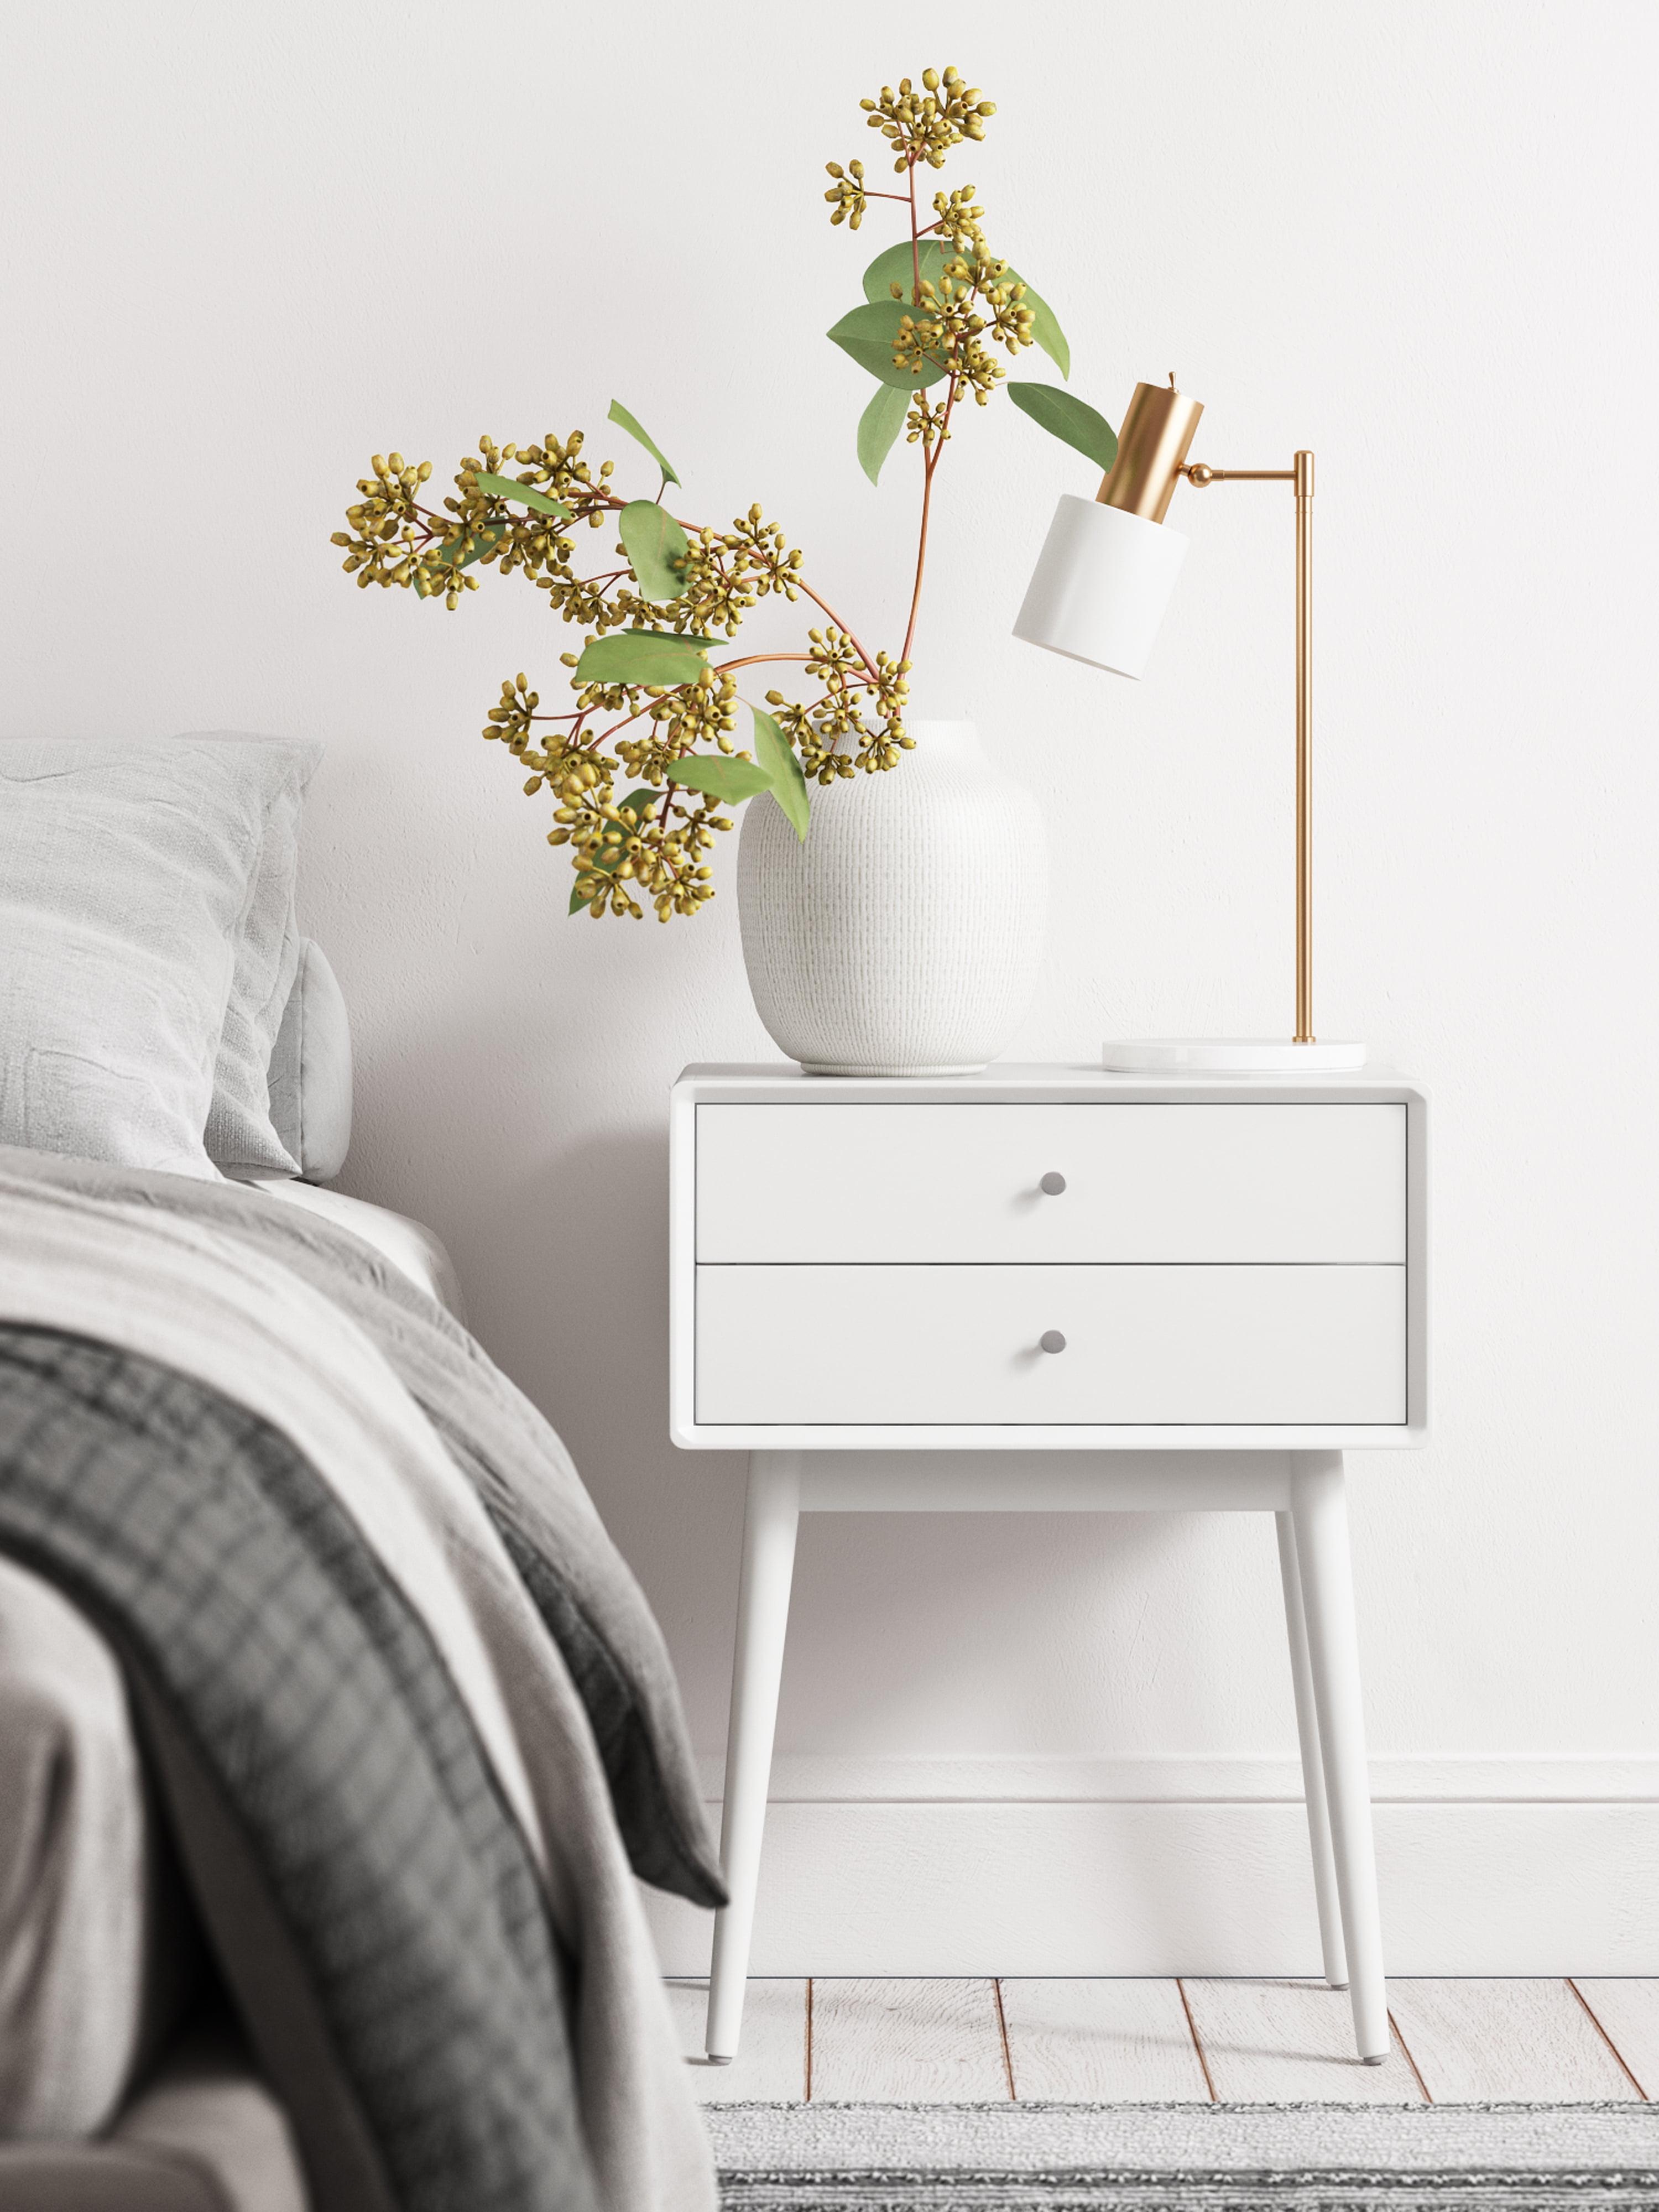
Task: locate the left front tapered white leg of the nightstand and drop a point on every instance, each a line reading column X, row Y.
column 771, row 1523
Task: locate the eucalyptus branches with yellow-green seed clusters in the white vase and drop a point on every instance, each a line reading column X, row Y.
column 651, row 707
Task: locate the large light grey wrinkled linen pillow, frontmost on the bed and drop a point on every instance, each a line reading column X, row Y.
column 127, row 873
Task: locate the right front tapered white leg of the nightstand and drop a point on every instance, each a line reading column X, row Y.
column 1326, row 1574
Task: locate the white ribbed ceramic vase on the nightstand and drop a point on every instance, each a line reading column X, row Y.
column 906, row 935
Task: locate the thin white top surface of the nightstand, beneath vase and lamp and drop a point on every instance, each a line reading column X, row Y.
column 1025, row 1081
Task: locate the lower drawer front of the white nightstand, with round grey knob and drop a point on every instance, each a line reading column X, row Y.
column 1145, row 1346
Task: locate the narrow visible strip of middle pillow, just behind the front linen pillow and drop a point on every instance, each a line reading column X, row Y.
column 242, row 1134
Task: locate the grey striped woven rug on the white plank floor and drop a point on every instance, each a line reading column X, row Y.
column 1187, row 2158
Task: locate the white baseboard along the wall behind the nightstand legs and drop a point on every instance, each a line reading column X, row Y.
column 1198, row 1868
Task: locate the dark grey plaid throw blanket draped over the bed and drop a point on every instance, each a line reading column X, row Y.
column 242, row 1596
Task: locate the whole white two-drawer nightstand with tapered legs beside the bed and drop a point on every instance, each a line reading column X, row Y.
column 1078, row 1293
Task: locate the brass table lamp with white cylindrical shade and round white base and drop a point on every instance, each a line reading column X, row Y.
column 1098, row 596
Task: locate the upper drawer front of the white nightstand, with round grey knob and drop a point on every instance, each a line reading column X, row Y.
column 1167, row 1182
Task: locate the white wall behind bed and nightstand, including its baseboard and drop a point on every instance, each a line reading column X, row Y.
column 249, row 247
